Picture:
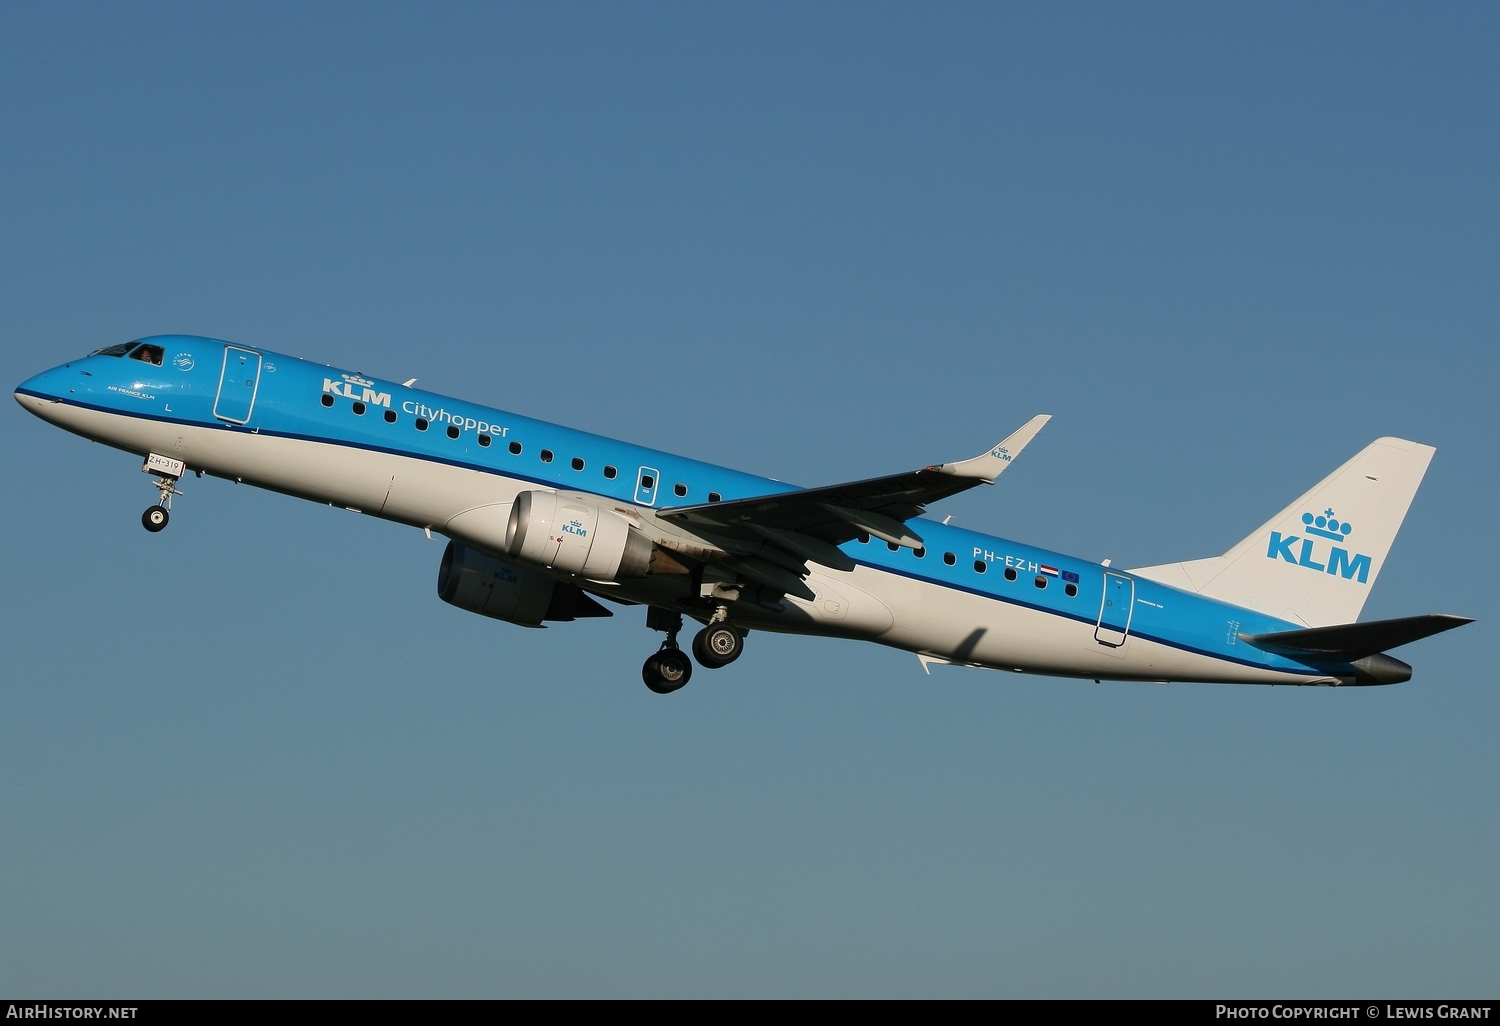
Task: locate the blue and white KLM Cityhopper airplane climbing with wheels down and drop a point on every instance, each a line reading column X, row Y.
column 544, row 523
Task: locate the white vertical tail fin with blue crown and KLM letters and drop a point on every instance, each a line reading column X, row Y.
column 1316, row 562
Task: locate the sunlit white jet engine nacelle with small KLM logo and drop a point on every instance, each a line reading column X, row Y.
column 575, row 538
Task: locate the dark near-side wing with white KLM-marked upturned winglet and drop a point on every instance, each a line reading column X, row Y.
column 809, row 523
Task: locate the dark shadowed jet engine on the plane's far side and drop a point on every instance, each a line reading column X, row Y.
column 476, row 583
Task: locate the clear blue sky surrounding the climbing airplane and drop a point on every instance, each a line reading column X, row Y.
column 1223, row 247
